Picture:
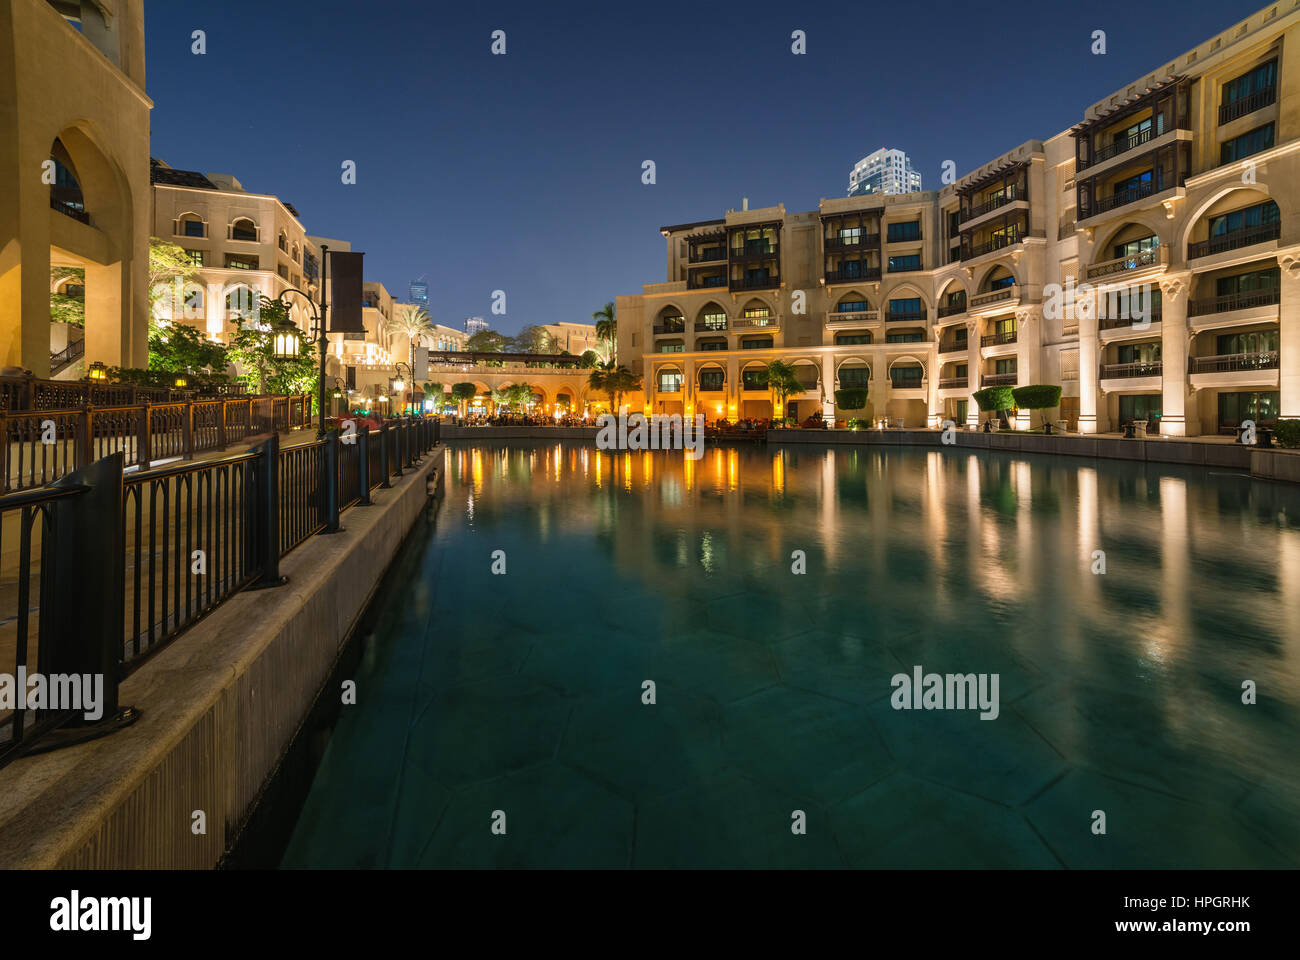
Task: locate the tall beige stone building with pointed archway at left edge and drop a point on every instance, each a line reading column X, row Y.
column 75, row 162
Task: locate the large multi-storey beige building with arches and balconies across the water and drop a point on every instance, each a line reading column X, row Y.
column 1147, row 261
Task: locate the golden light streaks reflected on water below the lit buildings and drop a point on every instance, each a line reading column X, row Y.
column 1019, row 533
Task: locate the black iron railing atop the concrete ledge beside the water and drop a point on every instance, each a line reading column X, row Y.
column 109, row 569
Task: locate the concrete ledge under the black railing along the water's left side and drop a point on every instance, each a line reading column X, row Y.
column 220, row 707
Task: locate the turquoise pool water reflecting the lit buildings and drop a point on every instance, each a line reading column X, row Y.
column 522, row 695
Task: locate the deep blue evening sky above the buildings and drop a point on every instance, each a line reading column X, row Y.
column 523, row 172
